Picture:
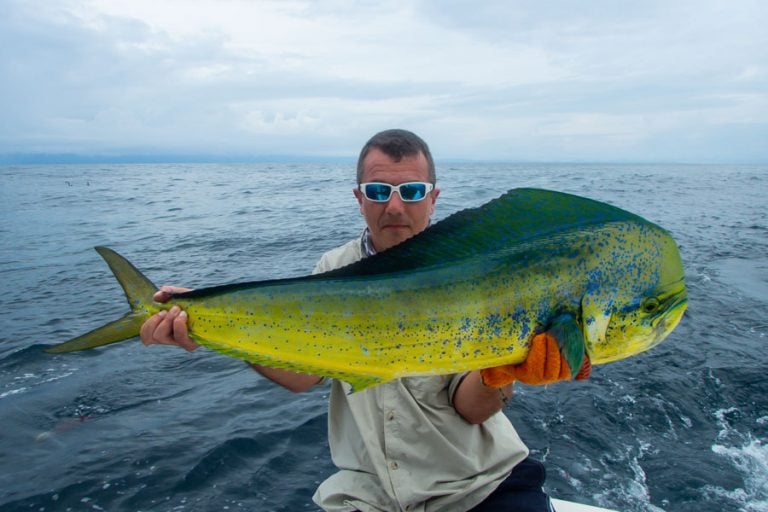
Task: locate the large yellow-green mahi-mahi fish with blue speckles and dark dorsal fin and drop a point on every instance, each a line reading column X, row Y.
column 468, row 293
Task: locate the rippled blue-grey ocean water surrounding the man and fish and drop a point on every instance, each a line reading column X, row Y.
column 683, row 427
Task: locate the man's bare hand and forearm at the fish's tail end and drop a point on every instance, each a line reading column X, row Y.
column 170, row 328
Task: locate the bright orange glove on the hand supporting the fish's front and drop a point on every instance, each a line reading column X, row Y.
column 544, row 365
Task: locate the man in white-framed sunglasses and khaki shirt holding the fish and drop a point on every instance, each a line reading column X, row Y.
column 419, row 443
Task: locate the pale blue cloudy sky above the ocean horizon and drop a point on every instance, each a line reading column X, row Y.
column 559, row 80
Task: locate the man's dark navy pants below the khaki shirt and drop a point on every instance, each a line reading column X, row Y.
column 520, row 492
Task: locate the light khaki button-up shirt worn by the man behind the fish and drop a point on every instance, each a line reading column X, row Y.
column 402, row 446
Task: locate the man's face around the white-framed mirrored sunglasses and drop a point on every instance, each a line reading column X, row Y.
column 395, row 221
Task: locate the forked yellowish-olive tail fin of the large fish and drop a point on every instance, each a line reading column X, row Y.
column 138, row 290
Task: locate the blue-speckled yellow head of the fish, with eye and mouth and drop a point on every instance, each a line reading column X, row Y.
column 649, row 305
